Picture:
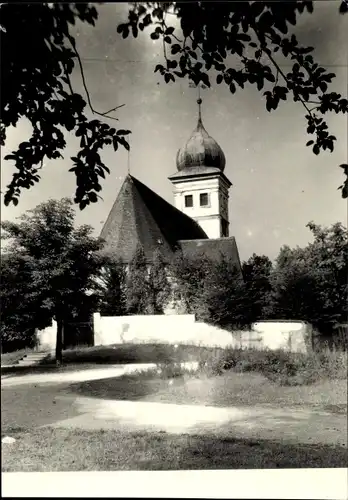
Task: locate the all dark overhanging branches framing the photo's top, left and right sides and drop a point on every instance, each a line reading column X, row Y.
column 36, row 80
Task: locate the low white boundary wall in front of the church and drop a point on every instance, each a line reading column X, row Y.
column 183, row 329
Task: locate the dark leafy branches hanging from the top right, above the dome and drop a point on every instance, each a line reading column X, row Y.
column 256, row 33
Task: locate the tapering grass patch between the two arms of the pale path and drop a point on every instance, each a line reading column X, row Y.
column 224, row 390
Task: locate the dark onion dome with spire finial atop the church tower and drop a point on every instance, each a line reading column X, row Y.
column 201, row 150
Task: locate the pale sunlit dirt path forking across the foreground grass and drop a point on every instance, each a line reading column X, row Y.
column 46, row 399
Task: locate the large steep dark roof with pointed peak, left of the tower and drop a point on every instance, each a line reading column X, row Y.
column 139, row 215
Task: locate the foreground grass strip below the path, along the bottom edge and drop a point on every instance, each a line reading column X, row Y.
column 49, row 449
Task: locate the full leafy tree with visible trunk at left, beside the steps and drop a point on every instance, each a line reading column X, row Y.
column 63, row 260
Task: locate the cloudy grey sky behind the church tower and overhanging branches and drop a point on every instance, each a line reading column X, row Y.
column 279, row 185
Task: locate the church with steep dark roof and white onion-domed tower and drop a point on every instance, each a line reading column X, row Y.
column 198, row 221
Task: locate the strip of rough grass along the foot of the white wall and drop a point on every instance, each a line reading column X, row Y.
column 284, row 368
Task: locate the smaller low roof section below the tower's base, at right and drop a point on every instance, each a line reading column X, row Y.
column 213, row 249
